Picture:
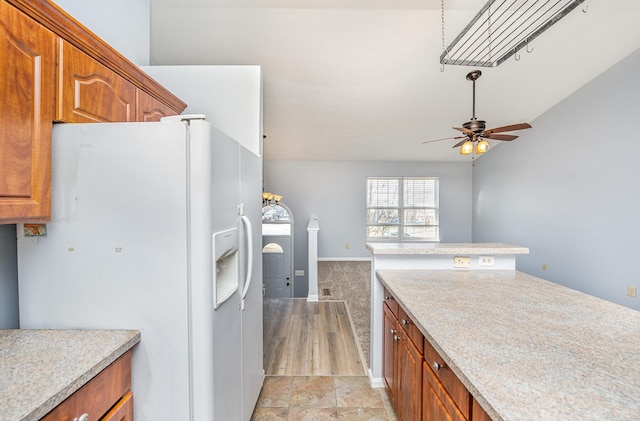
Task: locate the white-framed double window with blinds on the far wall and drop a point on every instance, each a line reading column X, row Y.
column 402, row 208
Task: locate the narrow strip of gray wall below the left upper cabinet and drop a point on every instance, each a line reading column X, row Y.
column 9, row 318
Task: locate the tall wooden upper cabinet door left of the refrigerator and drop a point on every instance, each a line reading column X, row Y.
column 27, row 54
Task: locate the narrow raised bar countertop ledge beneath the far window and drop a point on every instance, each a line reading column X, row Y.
column 444, row 248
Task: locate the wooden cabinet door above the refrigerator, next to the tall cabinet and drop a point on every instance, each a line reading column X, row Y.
column 89, row 92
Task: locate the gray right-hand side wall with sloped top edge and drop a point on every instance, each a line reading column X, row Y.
column 569, row 189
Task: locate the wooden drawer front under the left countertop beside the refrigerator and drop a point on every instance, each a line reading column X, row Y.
column 98, row 395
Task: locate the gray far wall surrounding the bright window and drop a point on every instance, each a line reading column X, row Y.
column 335, row 193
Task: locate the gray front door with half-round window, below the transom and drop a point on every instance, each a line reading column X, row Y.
column 276, row 262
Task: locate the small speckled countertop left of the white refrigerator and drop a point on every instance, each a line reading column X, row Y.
column 41, row 368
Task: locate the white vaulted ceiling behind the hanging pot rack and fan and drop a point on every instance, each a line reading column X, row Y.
column 361, row 79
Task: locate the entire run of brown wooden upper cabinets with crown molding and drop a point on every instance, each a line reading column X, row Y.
column 54, row 69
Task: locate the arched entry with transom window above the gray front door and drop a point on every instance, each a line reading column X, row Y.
column 277, row 251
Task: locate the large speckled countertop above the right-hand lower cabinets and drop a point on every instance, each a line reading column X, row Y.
column 526, row 348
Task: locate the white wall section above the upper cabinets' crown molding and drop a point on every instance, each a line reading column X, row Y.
column 123, row 24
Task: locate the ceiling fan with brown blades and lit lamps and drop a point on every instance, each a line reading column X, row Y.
column 475, row 131
